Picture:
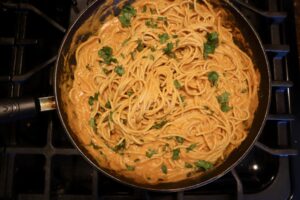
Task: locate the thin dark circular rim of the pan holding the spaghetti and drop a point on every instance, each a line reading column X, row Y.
column 135, row 185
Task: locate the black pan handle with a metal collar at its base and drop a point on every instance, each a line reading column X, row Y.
column 18, row 108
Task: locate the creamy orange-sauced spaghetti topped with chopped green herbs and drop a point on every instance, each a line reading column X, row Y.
column 161, row 92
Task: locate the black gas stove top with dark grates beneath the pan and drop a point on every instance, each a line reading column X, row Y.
column 37, row 160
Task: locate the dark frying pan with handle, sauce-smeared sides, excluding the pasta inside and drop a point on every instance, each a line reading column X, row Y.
column 87, row 24
